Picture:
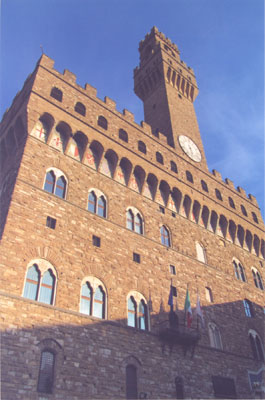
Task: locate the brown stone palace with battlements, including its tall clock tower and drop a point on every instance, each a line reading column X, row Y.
column 106, row 226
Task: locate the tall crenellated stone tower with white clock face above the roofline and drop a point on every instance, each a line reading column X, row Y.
column 168, row 88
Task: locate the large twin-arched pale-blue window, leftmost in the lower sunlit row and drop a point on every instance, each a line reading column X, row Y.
column 40, row 283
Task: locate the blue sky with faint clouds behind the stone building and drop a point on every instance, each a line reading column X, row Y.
column 222, row 40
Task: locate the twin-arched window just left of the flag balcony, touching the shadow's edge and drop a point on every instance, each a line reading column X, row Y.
column 137, row 311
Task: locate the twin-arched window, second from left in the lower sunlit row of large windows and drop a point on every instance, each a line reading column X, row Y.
column 93, row 298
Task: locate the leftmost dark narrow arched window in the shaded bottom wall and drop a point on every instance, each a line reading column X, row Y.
column 46, row 372
